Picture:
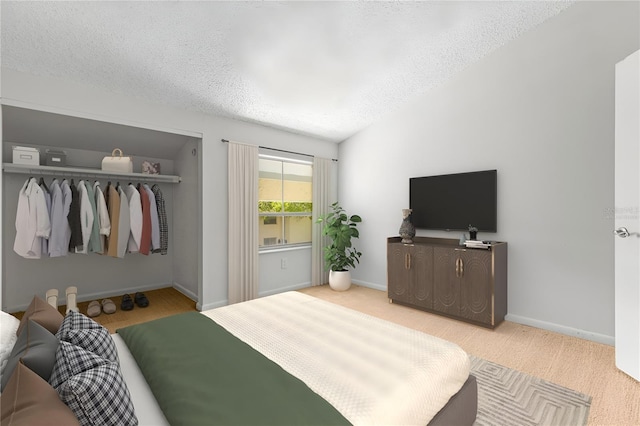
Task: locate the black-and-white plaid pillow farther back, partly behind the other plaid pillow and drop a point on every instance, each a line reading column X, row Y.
column 82, row 331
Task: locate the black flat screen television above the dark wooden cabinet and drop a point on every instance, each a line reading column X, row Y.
column 455, row 201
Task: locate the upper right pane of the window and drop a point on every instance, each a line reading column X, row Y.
column 297, row 181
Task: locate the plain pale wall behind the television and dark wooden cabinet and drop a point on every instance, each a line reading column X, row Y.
column 539, row 110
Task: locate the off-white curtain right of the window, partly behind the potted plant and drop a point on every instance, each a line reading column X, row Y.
column 323, row 197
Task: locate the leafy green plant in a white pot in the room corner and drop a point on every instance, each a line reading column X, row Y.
column 340, row 254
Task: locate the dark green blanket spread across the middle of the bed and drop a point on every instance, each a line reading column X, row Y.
column 201, row 374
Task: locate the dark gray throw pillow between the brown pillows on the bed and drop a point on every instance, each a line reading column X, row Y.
column 36, row 347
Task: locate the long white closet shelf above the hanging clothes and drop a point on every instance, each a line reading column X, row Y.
column 86, row 172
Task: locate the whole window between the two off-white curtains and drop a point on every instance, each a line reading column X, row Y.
column 284, row 202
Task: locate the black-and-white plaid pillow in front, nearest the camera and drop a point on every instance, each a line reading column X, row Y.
column 93, row 387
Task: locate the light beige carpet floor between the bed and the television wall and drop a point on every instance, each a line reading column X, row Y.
column 584, row 366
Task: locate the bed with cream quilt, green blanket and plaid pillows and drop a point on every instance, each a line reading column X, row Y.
column 284, row 359
